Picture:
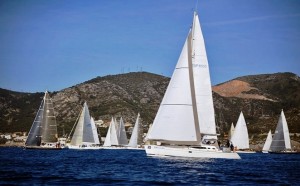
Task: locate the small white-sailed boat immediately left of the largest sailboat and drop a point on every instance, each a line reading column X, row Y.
column 135, row 139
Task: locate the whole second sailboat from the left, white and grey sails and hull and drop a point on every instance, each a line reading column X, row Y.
column 85, row 135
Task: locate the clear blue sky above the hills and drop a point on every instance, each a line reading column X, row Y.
column 59, row 43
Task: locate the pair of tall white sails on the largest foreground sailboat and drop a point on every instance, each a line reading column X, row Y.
column 186, row 110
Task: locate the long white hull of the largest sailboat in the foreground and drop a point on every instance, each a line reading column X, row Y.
column 179, row 151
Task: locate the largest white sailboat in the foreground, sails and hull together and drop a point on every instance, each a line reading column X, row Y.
column 184, row 125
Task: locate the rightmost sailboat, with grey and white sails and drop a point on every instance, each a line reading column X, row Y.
column 281, row 142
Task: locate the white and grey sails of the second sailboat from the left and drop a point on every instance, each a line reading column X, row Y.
column 83, row 132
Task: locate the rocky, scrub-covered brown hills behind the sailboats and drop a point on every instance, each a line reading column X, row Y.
column 260, row 97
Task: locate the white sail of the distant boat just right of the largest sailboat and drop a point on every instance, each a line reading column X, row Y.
column 240, row 137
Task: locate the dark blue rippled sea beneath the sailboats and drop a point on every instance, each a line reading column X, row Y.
column 133, row 167
